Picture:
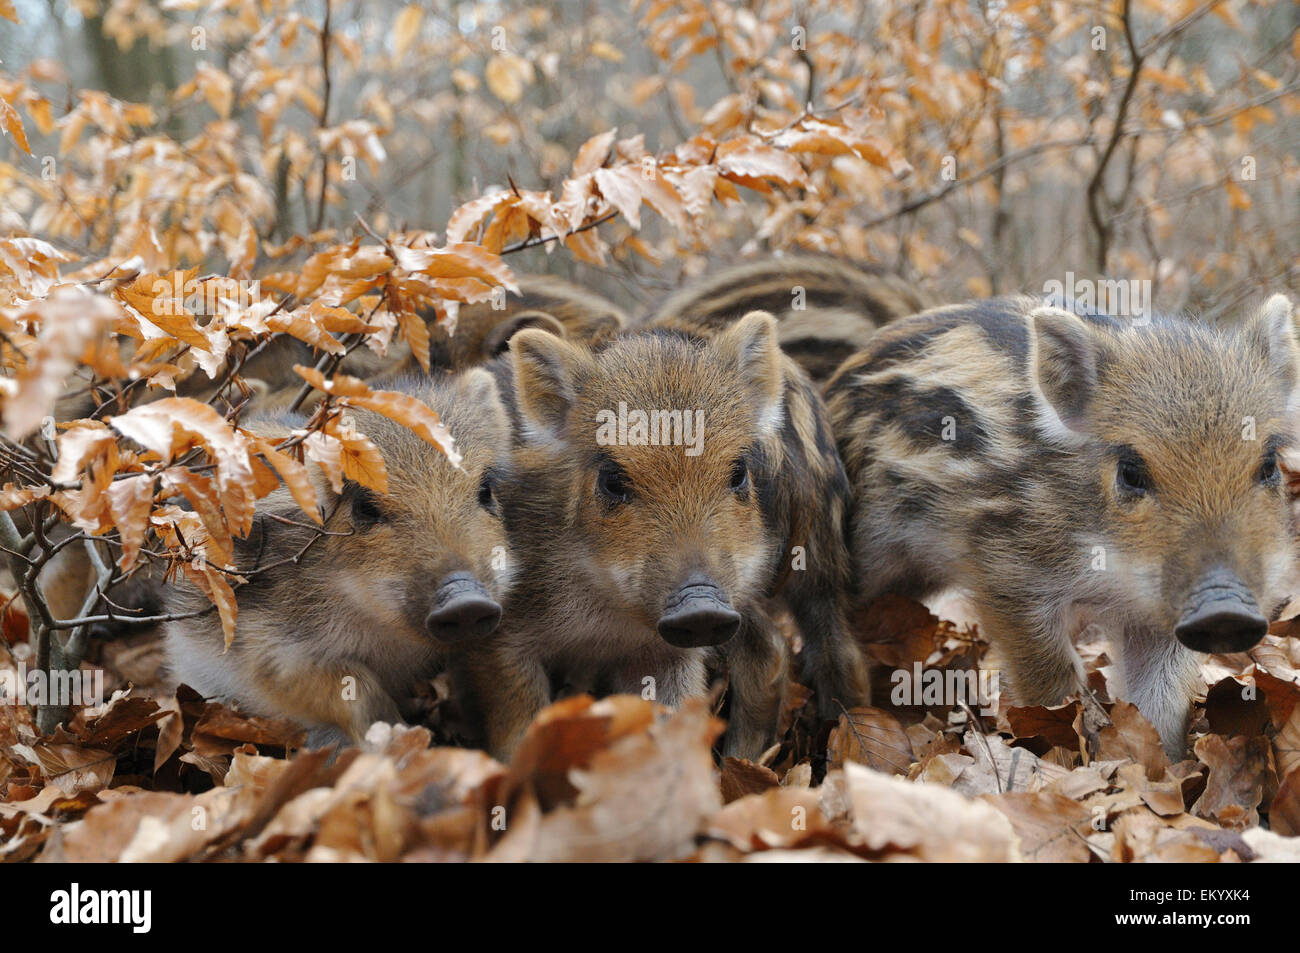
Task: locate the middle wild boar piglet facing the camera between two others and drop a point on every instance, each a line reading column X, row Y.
column 668, row 488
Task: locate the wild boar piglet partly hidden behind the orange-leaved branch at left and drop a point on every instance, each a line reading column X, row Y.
column 341, row 638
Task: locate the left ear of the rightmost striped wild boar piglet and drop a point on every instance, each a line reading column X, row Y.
column 1063, row 370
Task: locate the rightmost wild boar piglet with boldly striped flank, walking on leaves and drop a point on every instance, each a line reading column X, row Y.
column 1078, row 470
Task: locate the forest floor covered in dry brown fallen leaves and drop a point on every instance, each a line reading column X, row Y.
column 159, row 774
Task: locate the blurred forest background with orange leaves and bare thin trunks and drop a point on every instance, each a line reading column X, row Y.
column 978, row 148
